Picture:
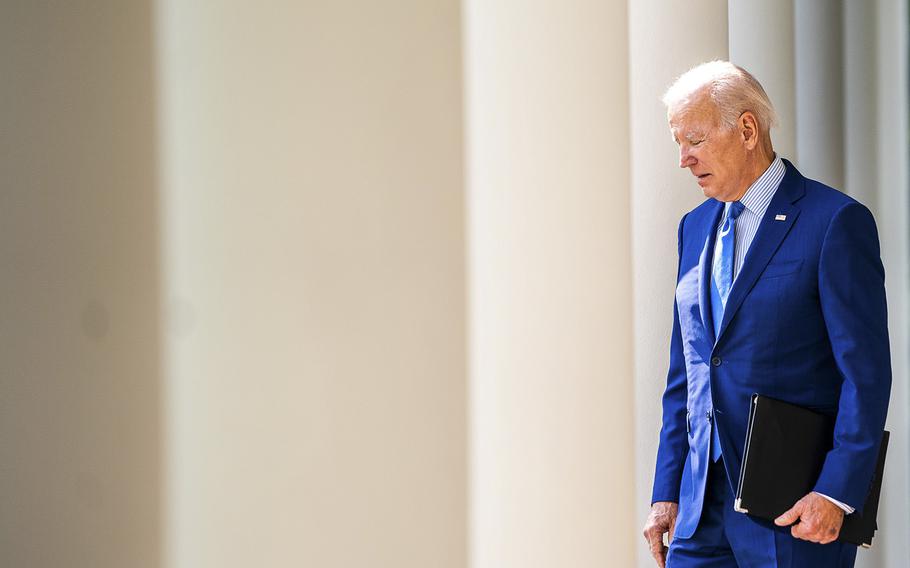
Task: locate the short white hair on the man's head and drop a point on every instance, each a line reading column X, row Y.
column 732, row 89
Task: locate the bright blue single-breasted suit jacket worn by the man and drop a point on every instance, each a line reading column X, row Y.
column 805, row 322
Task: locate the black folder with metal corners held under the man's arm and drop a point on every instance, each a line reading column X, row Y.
column 784, row 453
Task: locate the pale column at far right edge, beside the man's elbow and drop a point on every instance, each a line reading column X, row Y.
column 893, row 200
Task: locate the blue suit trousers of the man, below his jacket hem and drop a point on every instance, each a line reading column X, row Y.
column 727, row 539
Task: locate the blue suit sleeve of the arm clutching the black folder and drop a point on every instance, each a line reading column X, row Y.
column 851, row 287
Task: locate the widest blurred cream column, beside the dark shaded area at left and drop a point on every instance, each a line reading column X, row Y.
column 313, row 269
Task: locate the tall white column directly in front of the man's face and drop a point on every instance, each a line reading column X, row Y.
column 661, row 194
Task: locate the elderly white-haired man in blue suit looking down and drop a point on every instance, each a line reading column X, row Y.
column 780, row 291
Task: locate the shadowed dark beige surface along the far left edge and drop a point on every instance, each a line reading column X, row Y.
column 79, row 326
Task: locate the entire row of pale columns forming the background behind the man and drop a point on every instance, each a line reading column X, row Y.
column 382, row 284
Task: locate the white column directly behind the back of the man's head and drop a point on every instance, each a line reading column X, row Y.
column 751, row 24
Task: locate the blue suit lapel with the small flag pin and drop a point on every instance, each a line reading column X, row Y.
column 771, row 233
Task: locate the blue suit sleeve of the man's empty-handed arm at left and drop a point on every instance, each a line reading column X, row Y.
column 674, row 442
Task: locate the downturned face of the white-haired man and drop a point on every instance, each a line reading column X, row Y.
column 716, row 155
